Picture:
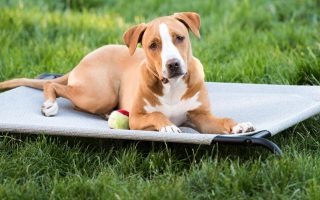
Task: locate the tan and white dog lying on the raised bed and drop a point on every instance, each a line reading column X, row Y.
column 161, row 84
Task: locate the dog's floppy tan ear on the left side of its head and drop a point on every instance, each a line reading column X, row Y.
column 134, row 36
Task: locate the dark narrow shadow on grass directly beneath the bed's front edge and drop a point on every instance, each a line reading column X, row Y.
column 189, row 153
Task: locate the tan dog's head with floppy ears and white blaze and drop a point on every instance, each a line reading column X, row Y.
column 166, row 43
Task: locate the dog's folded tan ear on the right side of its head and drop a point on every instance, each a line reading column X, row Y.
column 191, row 20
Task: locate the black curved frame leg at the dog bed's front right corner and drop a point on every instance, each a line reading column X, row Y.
column 249, row 141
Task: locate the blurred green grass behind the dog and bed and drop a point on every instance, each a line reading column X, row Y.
column 242, row 41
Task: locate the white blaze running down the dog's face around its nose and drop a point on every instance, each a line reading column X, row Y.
column 169, row 51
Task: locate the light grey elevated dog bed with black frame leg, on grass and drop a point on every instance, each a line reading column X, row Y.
column 271, row 108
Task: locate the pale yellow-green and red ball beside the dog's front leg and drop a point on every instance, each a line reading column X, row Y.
column 119, row 119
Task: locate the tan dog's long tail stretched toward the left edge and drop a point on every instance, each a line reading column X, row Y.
column 34, row 83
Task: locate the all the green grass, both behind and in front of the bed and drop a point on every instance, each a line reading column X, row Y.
column 276, row 42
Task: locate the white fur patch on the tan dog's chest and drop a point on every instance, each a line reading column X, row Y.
column 172, row 106
